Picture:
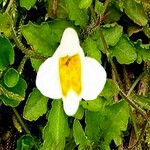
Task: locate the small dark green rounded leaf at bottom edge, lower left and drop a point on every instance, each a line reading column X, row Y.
column 26, row 142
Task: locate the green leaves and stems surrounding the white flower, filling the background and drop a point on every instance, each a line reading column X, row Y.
column 114, row 32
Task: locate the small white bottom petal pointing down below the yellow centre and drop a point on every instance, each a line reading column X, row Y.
column 71, row 103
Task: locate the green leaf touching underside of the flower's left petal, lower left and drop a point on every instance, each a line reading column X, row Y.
column 36, row 106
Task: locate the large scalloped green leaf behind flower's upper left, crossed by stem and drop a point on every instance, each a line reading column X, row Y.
column 44, row 38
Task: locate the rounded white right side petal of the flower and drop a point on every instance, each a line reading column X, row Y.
column 94, row 78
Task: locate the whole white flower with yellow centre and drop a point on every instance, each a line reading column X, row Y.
column 69, row 75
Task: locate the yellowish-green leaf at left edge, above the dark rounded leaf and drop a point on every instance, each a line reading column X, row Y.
column 5, row 24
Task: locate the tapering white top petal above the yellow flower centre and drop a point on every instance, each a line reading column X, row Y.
column 69, row 44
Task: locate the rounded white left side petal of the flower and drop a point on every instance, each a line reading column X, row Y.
column 47, row 80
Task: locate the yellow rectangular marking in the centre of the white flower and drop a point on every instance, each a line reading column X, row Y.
column 70, row 74
